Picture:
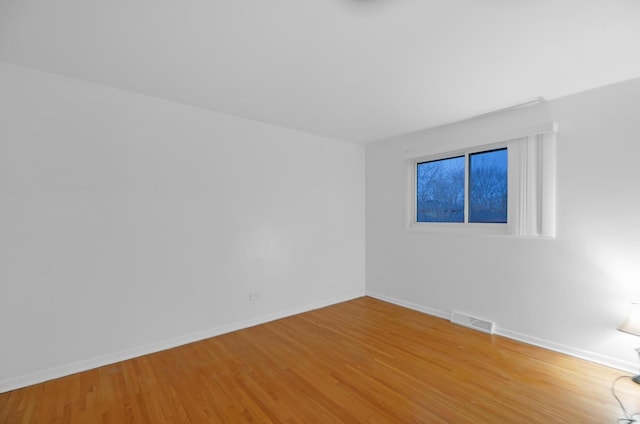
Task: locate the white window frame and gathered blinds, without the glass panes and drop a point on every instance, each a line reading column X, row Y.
column 531, row 186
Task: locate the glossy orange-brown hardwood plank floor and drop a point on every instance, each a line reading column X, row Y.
column 363, row 361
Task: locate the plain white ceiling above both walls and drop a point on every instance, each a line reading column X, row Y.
column 353, row 70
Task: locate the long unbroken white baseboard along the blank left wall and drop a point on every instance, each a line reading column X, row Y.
column 64, row 370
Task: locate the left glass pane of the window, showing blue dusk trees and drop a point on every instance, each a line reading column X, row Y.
column 440, row 190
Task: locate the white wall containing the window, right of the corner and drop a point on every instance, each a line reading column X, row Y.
column 567, row 293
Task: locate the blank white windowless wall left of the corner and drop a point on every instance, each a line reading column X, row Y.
column 130, row 224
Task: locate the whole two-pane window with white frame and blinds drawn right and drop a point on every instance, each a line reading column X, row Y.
column 505, row 188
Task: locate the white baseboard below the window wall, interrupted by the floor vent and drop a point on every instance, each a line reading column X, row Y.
column 546, row 344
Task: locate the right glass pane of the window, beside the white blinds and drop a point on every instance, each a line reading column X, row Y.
column 488, row 186
